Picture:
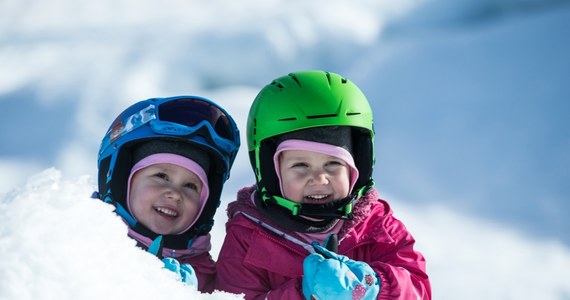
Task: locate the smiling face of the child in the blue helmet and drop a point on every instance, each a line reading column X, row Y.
column 165, row 197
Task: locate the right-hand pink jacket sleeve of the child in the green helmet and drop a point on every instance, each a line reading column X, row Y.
column 402, row 270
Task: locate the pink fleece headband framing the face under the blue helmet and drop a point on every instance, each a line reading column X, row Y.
column 175, row 159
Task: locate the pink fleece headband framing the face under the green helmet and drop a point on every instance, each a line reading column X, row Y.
column 323, row 148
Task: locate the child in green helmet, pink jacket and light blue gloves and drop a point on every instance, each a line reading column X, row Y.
column 313, row 225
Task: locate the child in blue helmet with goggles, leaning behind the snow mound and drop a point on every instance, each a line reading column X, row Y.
column 162, row 164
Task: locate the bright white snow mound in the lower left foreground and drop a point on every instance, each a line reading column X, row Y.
column 57, row 243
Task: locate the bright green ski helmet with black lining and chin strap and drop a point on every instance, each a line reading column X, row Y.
column 297, row 104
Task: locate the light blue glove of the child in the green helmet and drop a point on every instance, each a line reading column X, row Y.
column 332, row 276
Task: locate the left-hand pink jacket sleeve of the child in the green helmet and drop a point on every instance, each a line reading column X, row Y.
column 236, row 276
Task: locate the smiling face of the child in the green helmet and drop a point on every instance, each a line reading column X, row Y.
column 312, row 177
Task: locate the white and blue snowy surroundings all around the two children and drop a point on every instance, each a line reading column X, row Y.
column 471, row 103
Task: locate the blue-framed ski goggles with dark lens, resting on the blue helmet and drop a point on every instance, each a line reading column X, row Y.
column 184, row 117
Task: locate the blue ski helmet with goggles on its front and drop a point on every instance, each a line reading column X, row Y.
column 184, row 125
